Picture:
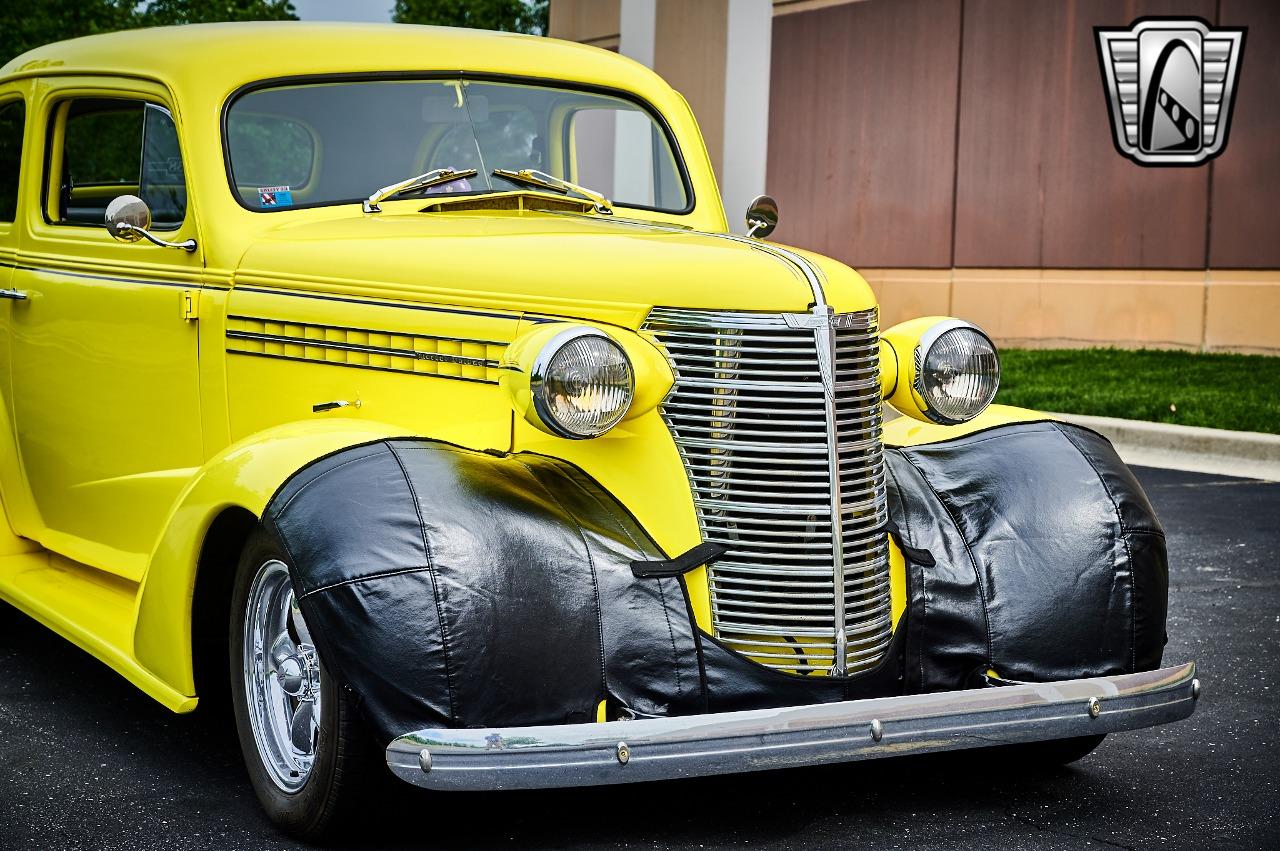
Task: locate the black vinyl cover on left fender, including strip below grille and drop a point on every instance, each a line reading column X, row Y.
column 455, row 588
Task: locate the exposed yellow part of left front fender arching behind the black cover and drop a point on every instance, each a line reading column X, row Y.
column 245, row 475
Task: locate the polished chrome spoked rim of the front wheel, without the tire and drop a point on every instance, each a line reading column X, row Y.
column 282, row 679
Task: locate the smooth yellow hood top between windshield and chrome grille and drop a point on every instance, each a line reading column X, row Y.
column 587, row 267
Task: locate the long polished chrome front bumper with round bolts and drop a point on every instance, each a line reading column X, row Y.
column 652, row 749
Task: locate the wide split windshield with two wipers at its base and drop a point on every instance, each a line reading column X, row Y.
column 324, row 144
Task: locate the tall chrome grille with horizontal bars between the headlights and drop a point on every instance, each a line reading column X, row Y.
column 751, row 418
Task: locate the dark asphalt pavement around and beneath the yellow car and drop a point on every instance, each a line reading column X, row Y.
column 86, row 762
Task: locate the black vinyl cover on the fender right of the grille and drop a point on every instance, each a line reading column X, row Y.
column 1050, row 560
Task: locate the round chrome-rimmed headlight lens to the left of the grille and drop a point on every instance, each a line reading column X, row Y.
column 582, row 383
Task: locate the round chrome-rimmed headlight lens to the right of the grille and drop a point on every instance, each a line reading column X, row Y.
column 958, row 372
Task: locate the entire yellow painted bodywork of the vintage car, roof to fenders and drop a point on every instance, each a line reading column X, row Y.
column 147, row 391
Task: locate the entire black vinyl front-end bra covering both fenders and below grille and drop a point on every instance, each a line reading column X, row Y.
column 456, row 588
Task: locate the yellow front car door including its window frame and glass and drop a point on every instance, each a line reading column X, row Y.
column 106, row 397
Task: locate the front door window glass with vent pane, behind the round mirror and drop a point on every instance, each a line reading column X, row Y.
column 113, row 148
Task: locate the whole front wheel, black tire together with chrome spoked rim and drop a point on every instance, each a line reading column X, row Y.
column 304, row 745
